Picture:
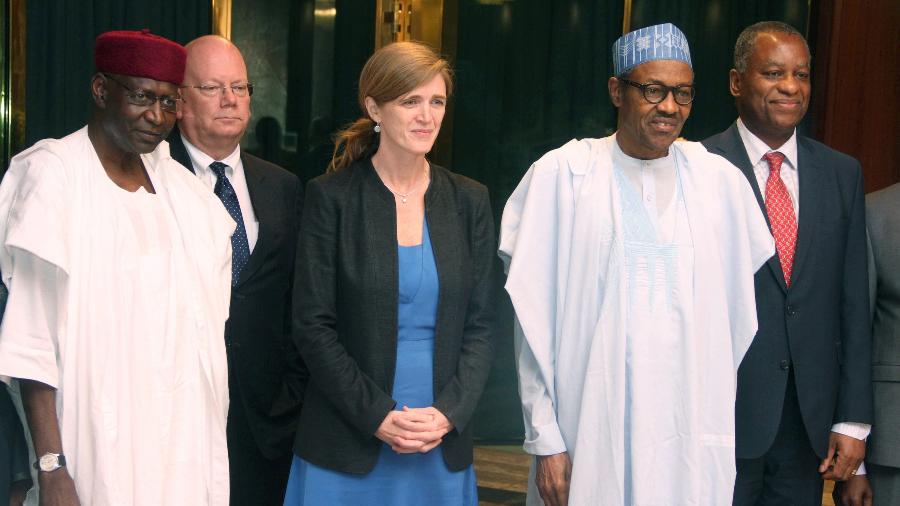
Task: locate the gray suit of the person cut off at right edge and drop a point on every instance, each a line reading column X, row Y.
column 883, row 456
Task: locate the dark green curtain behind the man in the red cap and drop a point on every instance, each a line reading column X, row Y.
column 60, row 52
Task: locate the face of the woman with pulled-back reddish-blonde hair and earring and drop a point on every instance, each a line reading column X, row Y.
column 410, row 123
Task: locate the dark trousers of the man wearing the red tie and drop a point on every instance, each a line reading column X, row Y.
column 787, row 474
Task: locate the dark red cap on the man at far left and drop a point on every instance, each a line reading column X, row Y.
column 140, row 54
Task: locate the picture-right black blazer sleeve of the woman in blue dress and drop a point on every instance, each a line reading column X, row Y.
column 459, row 397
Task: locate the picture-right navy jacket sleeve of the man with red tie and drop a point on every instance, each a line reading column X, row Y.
column 855, row 394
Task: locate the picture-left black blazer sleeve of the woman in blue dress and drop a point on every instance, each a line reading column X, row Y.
column 335, row 373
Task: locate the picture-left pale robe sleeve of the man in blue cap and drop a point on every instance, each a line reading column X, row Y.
column 543, row 200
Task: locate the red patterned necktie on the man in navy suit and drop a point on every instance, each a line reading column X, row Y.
column 780, row 209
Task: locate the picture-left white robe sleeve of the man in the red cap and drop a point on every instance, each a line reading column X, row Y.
column 33, row 263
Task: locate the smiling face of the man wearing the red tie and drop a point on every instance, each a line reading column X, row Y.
column 772, row 94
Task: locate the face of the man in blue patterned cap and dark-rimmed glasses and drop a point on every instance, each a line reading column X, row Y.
column 646, row 130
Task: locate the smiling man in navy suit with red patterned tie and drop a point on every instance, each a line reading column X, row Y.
column 804, row 395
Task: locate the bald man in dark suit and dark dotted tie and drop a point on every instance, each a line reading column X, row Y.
column 266, row 375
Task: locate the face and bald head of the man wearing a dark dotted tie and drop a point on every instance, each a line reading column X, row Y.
column 214, row 124
